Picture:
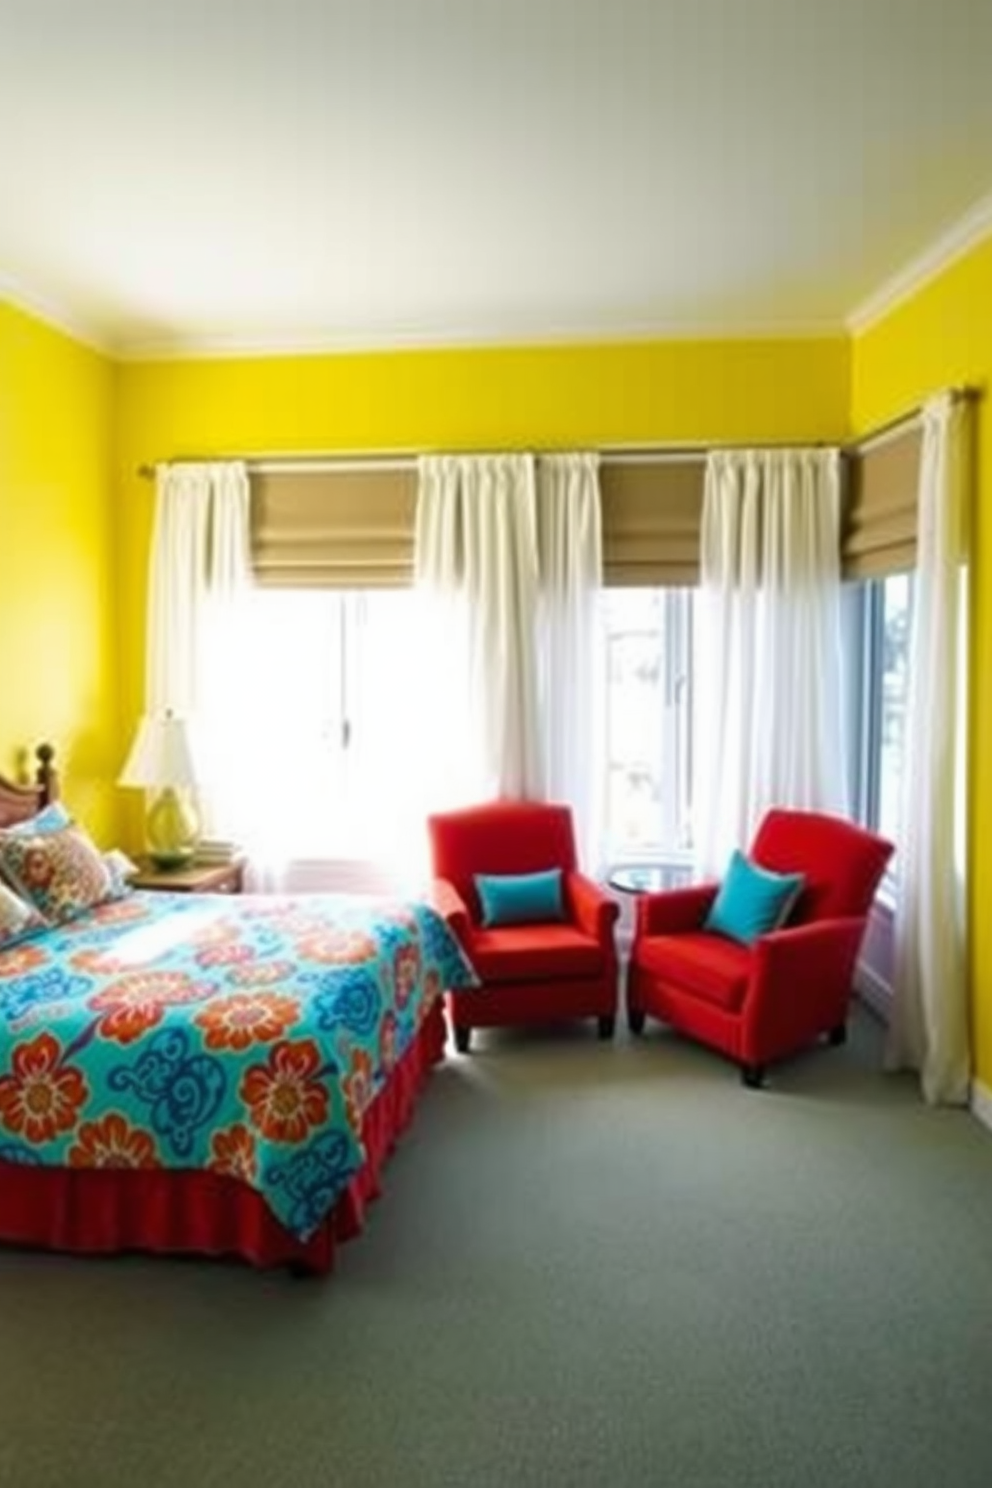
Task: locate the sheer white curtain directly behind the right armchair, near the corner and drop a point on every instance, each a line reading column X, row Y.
column 770, row 722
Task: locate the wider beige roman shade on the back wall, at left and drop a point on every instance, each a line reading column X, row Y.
column 335, row 529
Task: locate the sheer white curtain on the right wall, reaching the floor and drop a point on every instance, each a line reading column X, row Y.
column 930, row 1014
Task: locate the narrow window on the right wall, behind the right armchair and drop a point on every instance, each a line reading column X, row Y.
column 880, row 618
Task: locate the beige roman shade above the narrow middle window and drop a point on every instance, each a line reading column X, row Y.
column 652, row 514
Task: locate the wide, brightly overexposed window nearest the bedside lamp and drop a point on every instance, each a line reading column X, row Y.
column 322, row 764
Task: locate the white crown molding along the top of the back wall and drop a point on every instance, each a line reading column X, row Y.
column 184, row 349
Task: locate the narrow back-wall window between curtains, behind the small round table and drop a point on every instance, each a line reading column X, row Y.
column 649, row 722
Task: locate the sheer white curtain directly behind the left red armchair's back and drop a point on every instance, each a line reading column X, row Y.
column 477, row 569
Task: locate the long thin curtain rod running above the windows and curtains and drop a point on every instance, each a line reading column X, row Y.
column 611, row 455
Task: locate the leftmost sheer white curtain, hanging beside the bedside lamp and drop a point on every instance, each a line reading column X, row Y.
column 200, row 578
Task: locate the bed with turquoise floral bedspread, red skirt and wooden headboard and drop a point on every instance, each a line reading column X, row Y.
column 212, row 1075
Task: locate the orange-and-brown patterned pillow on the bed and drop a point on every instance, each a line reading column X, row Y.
column 60, row 871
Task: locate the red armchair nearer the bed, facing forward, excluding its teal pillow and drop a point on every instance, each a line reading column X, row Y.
column 530, row 972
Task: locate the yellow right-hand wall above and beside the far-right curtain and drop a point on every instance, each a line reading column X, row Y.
column 942, row 337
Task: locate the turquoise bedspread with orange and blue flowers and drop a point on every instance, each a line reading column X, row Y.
column 203, row 1032
